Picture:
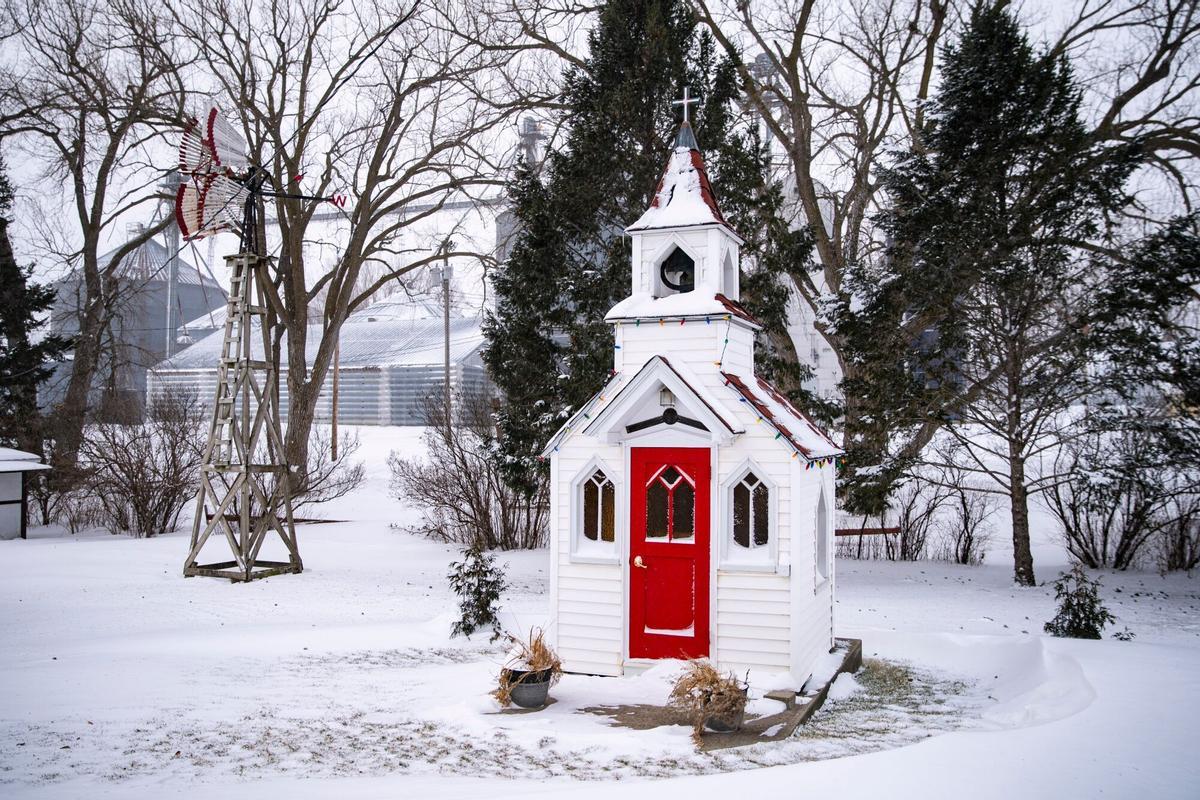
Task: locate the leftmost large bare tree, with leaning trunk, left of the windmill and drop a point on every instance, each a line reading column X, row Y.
column 87, row 95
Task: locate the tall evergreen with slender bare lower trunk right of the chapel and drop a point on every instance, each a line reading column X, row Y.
column 987, row 274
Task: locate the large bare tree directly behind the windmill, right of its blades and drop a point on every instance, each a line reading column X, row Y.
column 380, row 100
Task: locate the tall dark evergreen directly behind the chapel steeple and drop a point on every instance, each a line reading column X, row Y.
column 549, row 347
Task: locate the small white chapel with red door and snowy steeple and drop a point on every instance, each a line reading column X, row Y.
column 692, row 504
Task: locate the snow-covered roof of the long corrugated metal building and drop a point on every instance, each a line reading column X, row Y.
column 365, row 342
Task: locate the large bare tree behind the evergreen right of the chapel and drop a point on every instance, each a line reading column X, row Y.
column 841, row 87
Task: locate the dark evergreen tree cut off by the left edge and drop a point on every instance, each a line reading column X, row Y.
column 25, row 364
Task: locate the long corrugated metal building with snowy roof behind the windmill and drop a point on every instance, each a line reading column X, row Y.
column 389, row 364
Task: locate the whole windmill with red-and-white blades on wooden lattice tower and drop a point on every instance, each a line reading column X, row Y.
column 245, row 494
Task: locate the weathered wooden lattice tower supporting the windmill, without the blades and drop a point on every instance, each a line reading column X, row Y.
column 245, row 482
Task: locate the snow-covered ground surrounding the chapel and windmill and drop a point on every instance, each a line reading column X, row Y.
column 123, row 679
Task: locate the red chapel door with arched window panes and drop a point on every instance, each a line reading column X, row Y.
column 669, row 554
